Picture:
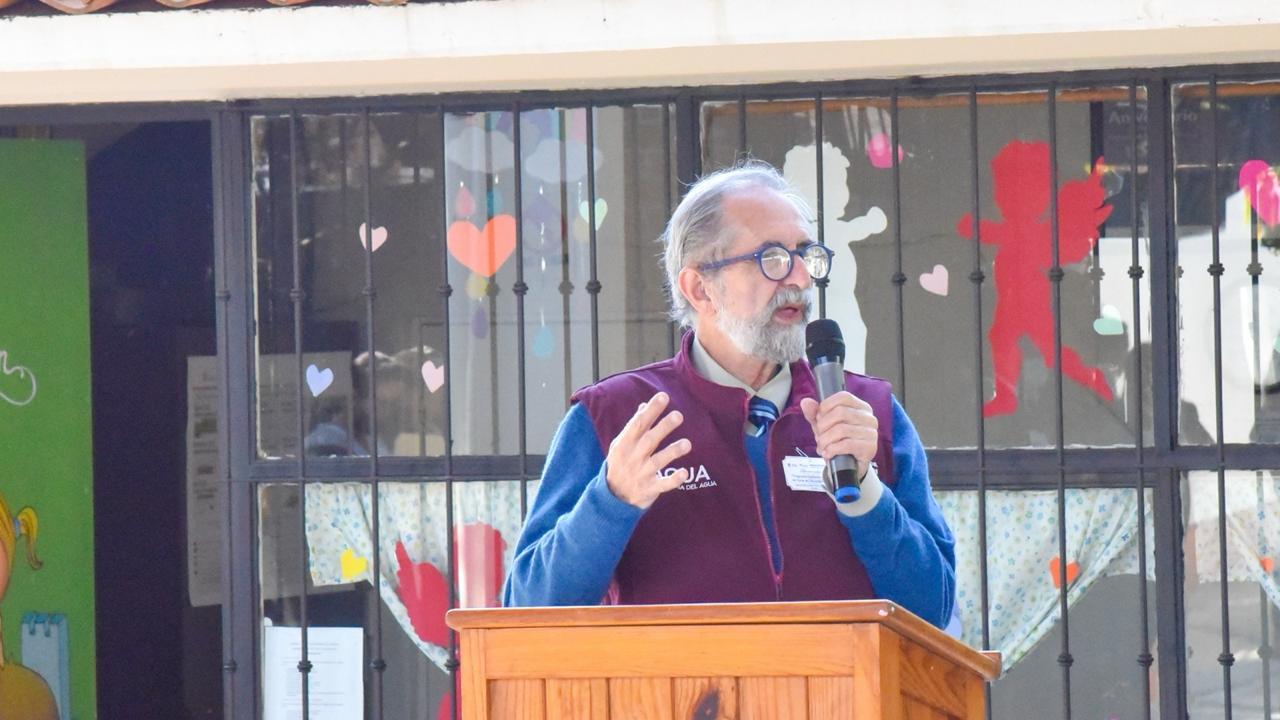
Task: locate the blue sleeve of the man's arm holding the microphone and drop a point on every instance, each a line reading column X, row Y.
column 903, row 540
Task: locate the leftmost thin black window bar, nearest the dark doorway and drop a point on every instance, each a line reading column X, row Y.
column 296, row 295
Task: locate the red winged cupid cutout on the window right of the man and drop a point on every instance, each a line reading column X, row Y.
column 1025, row 257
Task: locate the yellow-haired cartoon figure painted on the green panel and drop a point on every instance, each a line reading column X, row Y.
column 22, row 691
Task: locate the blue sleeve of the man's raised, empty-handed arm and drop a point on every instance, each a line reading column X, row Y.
column 577, row 530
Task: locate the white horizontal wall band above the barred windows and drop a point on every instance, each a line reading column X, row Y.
column 557, row 44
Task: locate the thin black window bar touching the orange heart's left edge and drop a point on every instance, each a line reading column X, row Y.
column 446, row 291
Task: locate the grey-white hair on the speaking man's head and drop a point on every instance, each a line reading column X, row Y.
column 697, row 231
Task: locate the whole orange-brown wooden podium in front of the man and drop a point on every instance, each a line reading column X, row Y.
column 785, row 660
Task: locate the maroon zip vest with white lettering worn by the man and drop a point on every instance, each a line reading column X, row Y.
column 706, row 541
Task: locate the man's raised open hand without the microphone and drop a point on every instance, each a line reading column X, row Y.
column 636, row 463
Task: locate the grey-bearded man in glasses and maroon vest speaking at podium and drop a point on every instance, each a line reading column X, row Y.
column 680, row 482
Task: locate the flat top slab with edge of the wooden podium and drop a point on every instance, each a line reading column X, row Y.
column 844, row 612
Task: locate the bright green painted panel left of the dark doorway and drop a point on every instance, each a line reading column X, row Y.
column 47, row 445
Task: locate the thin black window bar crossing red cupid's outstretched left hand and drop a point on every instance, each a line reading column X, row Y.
column 977, row 277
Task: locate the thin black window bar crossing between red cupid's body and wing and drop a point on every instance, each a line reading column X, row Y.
column 1055, row 275
